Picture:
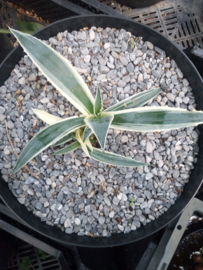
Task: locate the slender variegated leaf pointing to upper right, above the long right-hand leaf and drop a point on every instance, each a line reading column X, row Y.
column 135, row 101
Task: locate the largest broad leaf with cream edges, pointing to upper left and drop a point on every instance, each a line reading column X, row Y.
column 58, row 71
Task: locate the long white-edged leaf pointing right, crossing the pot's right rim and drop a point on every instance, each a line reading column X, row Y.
column 150, row 119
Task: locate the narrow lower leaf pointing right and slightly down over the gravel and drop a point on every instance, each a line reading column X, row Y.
column 113, row 159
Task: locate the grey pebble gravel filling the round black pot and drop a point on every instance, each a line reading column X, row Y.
column 97, row 199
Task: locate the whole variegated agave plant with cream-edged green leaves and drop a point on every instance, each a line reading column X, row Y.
column 124, row 115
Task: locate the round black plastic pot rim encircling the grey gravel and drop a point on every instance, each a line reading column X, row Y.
column 190, row 189
